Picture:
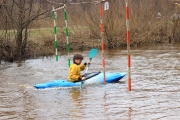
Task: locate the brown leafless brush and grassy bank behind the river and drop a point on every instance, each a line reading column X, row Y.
column 26, row 28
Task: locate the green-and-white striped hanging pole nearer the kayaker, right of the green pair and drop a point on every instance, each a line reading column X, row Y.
column 67, row 42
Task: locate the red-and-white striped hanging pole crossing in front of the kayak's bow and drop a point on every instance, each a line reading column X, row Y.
column 102, row 41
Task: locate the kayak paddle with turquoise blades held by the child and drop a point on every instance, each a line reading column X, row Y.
column 92, row 54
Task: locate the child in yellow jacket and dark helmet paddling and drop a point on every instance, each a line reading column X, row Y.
column 76, row 68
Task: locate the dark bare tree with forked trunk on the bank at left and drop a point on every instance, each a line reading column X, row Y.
column 21, row 13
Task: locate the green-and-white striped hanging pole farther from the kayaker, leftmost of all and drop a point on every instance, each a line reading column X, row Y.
column 54, row 15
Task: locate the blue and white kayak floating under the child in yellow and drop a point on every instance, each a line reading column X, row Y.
column 91, row 78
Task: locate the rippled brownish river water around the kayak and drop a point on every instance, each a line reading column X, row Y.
column 155, row 91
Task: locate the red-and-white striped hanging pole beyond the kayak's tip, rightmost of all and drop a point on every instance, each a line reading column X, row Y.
column 128, row 45
